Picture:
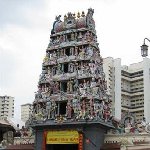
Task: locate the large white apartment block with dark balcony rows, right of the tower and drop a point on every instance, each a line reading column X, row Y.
column 129, row 87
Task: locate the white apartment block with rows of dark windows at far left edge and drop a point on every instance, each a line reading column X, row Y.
column 6, row 107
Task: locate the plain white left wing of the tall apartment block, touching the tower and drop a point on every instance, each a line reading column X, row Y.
column 112, row 70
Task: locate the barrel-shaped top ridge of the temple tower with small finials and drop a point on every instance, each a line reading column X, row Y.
column 74, row 21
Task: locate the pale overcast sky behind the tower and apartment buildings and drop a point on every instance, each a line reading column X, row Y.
column 25, row 27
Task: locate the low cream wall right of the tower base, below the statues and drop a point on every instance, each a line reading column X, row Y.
column 130, row 141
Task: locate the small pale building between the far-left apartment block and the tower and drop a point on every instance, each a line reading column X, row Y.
column 25, row 111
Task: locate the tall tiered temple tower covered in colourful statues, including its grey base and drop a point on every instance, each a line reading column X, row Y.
column 71, row 110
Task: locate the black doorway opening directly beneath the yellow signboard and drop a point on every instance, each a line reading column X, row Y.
column 62, row 147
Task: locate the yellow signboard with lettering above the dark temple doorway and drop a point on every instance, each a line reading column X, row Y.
column 62, row 137
